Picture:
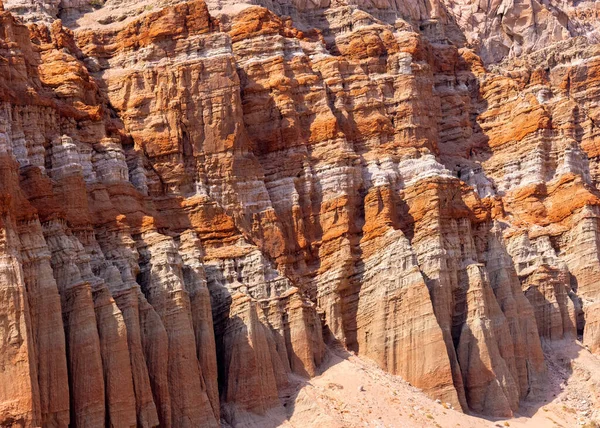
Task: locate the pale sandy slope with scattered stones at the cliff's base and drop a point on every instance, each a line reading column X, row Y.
column 352, row 392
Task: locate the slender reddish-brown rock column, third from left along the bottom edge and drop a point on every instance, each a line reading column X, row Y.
column 86, row 382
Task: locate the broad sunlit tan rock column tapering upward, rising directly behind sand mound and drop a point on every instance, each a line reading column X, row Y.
column 395, row 304
